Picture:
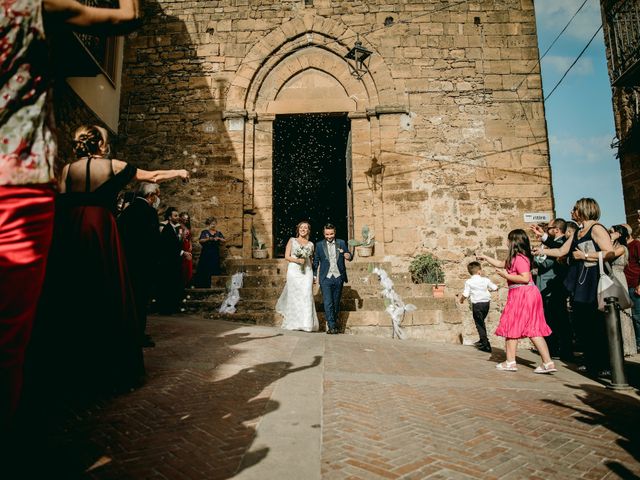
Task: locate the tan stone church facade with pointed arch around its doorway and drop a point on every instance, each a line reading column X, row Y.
column 445, row 142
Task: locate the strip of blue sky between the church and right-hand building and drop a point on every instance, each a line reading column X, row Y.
column 579, row 113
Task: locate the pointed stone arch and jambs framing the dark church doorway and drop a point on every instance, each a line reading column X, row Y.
column 300, row 68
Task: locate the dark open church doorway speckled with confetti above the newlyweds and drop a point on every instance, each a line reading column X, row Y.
column 309, row 175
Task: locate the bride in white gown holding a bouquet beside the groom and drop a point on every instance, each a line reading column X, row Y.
column 296, row 303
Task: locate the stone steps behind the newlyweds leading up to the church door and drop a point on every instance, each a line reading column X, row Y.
column 362, row 305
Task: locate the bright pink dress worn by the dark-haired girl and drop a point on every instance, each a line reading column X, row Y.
column 523, row 315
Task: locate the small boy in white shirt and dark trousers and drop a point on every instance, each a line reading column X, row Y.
column 477, row 289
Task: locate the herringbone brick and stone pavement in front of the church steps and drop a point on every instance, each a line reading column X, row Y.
column 224, row 400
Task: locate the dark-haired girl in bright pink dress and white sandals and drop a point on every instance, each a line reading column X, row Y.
column 523, row 315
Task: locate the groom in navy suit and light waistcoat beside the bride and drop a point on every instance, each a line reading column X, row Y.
column 330, row 256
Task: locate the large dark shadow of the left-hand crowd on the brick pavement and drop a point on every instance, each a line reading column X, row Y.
column 190, row 420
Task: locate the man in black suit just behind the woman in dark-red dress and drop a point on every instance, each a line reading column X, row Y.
column 139, row 230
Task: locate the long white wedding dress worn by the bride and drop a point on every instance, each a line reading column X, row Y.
column 296, row 303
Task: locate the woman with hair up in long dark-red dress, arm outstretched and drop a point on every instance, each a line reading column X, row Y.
column 87, row 333
